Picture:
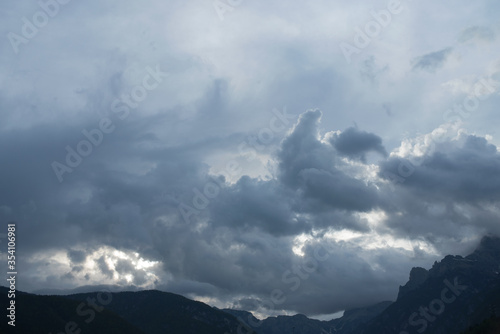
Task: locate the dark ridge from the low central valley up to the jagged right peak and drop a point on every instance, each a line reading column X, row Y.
column 455, row 294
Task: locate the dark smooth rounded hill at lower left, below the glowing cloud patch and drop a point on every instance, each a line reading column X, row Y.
column 143, row 312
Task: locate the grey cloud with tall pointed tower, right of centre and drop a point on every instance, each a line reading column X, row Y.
column 310, row 184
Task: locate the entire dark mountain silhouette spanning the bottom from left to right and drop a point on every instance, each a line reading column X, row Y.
column 457, row 295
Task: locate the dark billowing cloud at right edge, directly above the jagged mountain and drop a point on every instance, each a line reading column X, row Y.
column 451, row 190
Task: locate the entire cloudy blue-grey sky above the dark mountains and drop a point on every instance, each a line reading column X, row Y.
column 280, row 157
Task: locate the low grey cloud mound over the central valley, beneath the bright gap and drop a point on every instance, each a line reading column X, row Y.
column 307, row 275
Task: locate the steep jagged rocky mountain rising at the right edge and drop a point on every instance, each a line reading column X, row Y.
column 456, row 293
